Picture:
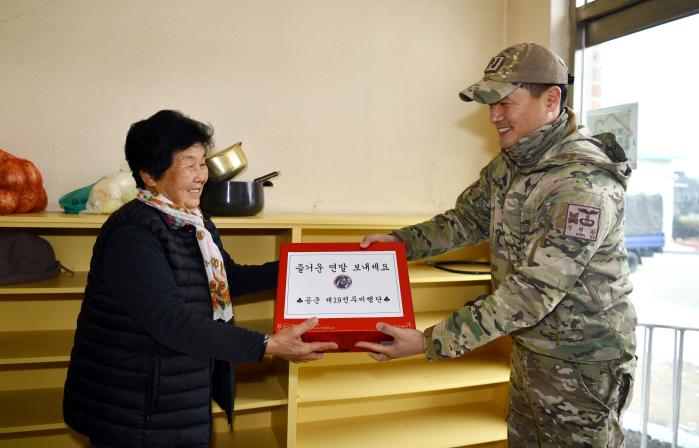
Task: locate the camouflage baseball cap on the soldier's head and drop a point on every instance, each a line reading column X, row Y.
column 525, row 62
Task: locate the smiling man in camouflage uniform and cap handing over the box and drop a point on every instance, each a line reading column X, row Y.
column 551, row 204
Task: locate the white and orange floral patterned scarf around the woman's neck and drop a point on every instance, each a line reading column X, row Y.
column 213, row 261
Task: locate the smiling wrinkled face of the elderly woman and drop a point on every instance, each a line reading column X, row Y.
column 183, row 181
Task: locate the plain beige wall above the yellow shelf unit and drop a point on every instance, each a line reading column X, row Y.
column 354, row 101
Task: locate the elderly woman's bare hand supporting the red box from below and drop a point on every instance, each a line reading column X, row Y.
column 287, row 344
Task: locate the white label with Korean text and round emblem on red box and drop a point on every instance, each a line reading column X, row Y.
column 342, row 284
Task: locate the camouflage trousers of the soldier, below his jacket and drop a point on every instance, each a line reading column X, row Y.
column 557, row 403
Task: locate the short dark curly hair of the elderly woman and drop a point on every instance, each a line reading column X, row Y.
column 151, row 143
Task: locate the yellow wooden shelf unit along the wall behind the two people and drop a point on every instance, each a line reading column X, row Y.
column 346, row 399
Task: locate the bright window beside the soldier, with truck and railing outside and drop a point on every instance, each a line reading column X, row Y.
column 635, row 77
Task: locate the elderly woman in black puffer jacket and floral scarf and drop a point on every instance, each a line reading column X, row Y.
column 154, row 340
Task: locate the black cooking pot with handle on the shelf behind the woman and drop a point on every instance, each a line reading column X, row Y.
column 234, row 198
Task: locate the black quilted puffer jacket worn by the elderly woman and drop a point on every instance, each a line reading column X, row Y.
column 142, row 370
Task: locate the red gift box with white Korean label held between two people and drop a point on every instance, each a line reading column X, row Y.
column 348, row 288
